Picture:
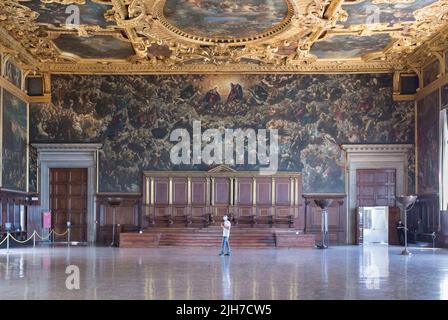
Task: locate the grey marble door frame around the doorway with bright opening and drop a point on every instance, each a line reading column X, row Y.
column 373, row 156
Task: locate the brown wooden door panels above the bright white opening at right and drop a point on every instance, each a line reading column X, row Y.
column 375, row 187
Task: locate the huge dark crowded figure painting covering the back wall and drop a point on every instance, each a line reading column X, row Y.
column 134, row 115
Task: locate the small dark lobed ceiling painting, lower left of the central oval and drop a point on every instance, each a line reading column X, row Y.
column 106, row 47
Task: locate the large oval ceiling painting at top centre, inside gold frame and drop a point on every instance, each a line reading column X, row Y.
column 225, row 18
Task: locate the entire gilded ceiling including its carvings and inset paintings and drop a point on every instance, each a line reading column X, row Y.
column 167, row 36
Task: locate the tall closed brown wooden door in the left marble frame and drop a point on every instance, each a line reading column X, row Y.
column 68, row 201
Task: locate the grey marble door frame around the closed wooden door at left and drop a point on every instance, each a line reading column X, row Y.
column 73, row 155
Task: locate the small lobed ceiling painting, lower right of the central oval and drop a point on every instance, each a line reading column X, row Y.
column 346, row 46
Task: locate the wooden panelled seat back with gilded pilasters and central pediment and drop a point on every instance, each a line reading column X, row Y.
column 223, row 191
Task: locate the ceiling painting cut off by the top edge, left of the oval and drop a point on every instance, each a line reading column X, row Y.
column 90, row 13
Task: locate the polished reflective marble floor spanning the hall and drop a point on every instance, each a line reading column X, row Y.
column 345, row 272
